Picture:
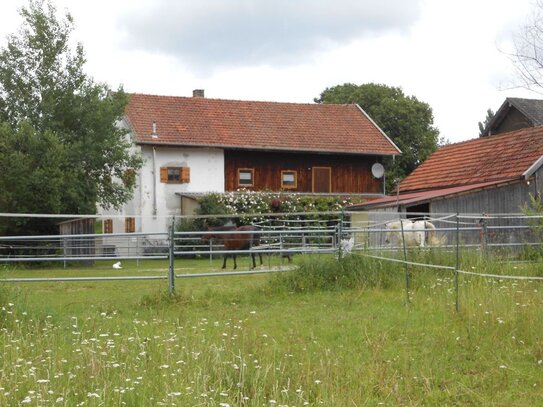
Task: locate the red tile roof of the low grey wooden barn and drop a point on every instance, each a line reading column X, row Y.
column 502, row 157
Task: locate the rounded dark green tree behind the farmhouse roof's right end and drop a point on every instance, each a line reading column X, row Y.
column 407, row 121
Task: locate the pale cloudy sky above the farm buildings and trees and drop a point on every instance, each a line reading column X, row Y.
column 450, row 54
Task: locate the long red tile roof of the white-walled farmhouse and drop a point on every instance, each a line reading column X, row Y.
column 190, row 121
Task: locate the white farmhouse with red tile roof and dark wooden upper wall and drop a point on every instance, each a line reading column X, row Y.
column 194, row 145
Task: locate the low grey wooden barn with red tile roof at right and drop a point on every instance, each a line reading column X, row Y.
column 494, row 174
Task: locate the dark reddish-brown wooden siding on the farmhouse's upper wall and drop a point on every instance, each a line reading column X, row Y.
column 349, row 174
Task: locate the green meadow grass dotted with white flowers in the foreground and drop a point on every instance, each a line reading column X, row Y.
column 330, row 333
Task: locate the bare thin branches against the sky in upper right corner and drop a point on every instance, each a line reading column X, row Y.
column 528, row 54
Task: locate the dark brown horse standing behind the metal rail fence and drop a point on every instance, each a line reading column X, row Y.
column 235, row 241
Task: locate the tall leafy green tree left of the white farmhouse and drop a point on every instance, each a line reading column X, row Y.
column 45, row 92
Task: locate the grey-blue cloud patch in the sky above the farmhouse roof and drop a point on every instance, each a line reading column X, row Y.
column 212, row 34
